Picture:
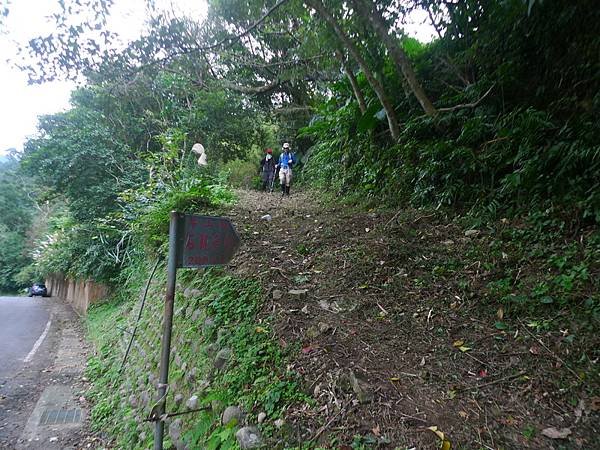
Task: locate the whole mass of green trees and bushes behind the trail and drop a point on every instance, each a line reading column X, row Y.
column 497, row 115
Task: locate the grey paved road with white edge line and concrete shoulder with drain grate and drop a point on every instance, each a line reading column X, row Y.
column 42, row 357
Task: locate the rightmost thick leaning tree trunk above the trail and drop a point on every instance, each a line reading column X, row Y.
column 369, row 13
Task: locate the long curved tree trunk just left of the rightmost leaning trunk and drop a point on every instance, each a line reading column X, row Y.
column 375, row 84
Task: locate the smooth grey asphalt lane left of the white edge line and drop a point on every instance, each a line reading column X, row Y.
column 22, row 322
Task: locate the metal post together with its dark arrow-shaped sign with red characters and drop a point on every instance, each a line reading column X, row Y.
column 194, row 242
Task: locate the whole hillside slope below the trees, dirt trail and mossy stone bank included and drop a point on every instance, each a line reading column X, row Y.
column 362, row 329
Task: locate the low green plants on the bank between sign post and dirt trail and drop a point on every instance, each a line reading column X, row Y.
column 257, row 378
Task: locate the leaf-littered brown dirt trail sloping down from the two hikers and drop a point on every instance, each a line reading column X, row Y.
column 396, row 332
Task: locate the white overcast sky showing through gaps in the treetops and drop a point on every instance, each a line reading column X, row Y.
column 22, row 103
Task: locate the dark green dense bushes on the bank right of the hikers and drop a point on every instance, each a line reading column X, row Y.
column 530, row 142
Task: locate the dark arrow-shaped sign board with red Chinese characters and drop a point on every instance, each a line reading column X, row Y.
column 207, row 241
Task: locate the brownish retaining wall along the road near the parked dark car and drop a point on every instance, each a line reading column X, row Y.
column 80, row 293
